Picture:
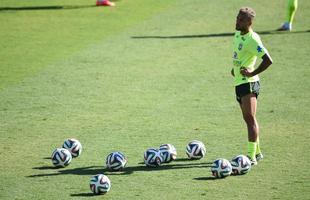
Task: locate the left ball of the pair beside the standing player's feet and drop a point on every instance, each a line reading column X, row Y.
column 221, row 168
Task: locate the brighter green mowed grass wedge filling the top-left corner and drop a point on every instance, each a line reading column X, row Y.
column 34, row 39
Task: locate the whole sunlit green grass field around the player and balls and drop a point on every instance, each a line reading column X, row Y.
column 138, row 75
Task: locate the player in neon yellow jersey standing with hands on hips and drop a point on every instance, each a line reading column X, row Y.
column 247, row 46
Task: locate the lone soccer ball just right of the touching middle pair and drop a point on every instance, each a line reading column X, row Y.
column 195, row 150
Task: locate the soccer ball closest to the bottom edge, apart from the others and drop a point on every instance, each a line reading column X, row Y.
column 100, row 184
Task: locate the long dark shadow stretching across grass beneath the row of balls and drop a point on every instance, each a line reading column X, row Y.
column 92, row 170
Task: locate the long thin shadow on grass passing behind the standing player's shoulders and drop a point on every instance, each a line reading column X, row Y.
column 268, row 32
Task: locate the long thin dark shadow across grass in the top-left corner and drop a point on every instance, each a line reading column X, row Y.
column 29, row 8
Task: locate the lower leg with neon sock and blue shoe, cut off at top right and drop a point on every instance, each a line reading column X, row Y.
column 290, row 13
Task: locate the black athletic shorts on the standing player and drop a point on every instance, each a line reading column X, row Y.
column 247, row 88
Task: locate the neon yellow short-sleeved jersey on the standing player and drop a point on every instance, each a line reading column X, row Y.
column 246, row 50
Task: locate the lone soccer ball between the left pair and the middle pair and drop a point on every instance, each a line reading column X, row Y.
column 116, row 161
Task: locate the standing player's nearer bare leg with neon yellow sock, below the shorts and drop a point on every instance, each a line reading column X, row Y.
column 248, row 106
